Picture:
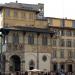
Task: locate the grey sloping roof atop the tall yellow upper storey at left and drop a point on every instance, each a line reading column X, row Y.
column 30, row 7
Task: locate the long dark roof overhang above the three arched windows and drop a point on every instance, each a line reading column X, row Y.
column 27, row 29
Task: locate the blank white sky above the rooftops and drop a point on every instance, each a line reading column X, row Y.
column 52, row 8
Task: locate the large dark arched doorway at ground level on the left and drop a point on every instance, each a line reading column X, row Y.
column 15, row 63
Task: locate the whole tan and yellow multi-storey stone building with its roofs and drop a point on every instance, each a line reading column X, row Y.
column 34, row 41
